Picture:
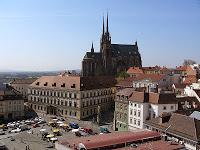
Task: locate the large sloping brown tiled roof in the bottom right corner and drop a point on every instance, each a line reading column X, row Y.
column 180, row 125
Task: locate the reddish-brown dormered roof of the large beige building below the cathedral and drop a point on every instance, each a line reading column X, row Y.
column 74, row 82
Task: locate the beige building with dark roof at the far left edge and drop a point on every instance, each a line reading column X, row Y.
column 11, row 104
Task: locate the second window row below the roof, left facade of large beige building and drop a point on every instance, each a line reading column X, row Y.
column 53, row 101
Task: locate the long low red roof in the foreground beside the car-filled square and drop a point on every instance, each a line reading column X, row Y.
column 114, row 138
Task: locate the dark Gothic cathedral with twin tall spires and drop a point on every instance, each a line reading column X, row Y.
column 112, row 58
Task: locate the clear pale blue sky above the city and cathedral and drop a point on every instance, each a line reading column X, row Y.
column 41, row 35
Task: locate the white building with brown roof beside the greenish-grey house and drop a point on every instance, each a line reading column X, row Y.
column 145, row 106
